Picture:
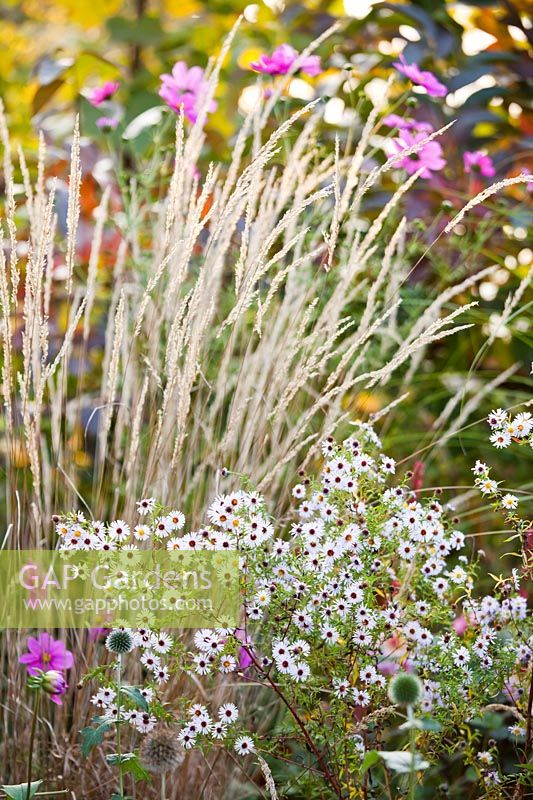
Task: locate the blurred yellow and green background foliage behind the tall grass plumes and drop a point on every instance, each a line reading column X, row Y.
column 54, row 50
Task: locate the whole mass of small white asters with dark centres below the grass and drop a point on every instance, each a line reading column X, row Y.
column 370, row 581
